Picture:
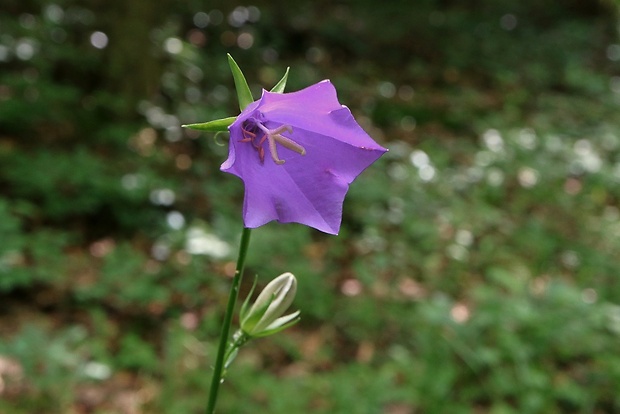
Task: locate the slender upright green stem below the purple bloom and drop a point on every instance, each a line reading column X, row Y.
column 230, row 309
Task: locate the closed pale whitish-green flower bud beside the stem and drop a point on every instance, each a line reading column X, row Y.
column 265, row 316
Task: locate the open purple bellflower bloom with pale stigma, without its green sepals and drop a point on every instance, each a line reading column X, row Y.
column 297, row 153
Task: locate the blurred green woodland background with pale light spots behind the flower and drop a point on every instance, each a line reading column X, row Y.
column 477, row 267
